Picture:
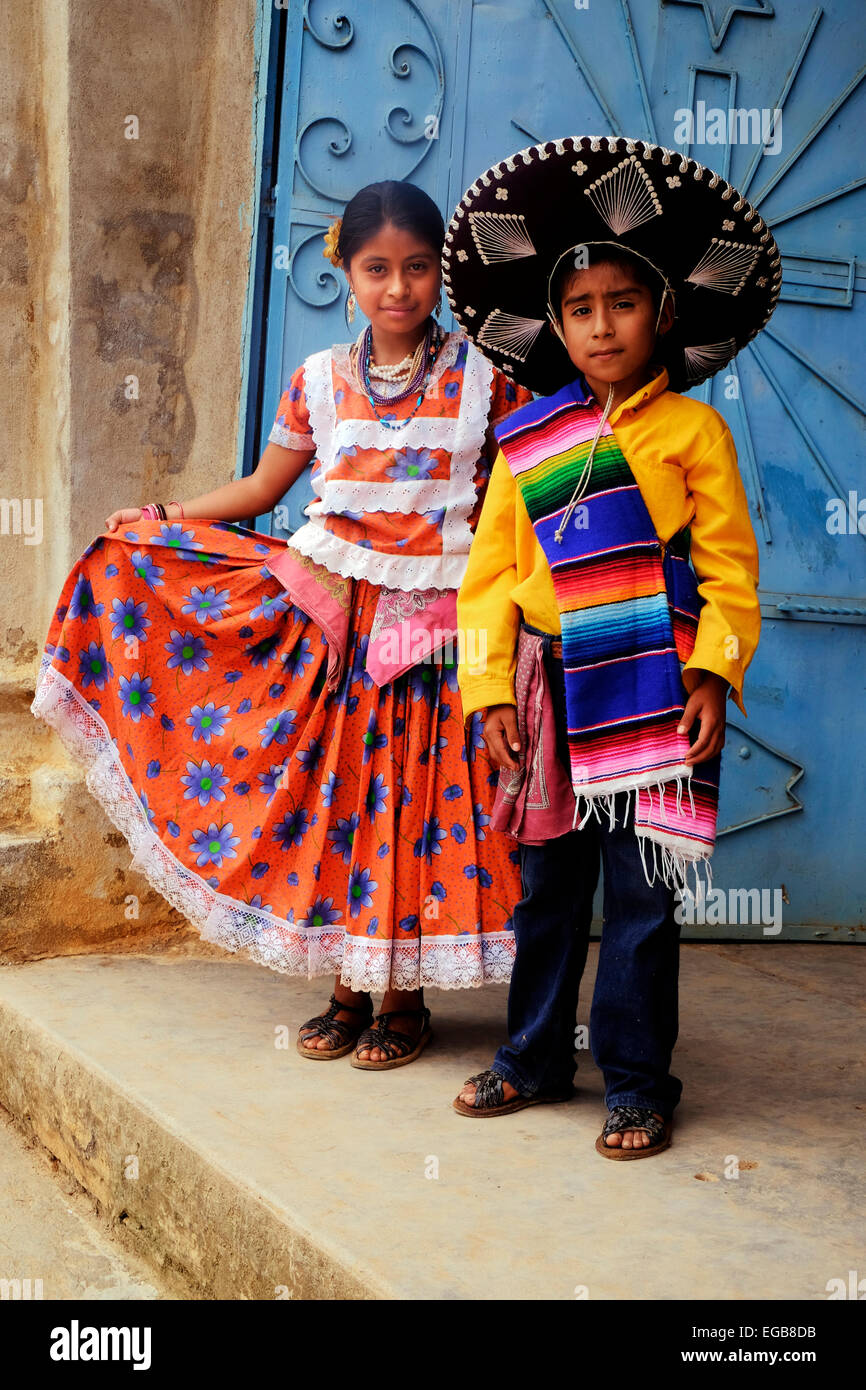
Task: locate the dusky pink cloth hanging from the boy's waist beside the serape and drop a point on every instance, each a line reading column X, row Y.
column 536, row 803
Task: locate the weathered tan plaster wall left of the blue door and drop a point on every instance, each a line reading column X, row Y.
column 122, row 258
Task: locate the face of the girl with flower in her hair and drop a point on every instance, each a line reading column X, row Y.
column 395, row 277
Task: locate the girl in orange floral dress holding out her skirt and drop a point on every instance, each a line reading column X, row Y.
column 277, row 728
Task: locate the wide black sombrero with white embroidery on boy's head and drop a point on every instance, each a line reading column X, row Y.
column 519, row 219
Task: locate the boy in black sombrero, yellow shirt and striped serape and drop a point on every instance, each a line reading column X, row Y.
column 610, row 664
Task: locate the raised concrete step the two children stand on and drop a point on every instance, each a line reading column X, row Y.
column 173, row 1092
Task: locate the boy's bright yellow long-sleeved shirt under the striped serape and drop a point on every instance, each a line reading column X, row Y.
column 683, row 459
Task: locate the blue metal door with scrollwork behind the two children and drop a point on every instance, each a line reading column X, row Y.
column 437, row 92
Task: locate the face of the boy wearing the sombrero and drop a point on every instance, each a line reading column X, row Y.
column 610, row 325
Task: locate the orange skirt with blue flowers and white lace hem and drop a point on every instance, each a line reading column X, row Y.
column 313, row 832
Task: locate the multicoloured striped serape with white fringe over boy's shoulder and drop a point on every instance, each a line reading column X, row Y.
column 629, row 618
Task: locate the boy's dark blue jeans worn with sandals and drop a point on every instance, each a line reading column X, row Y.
column 635, row 1020
